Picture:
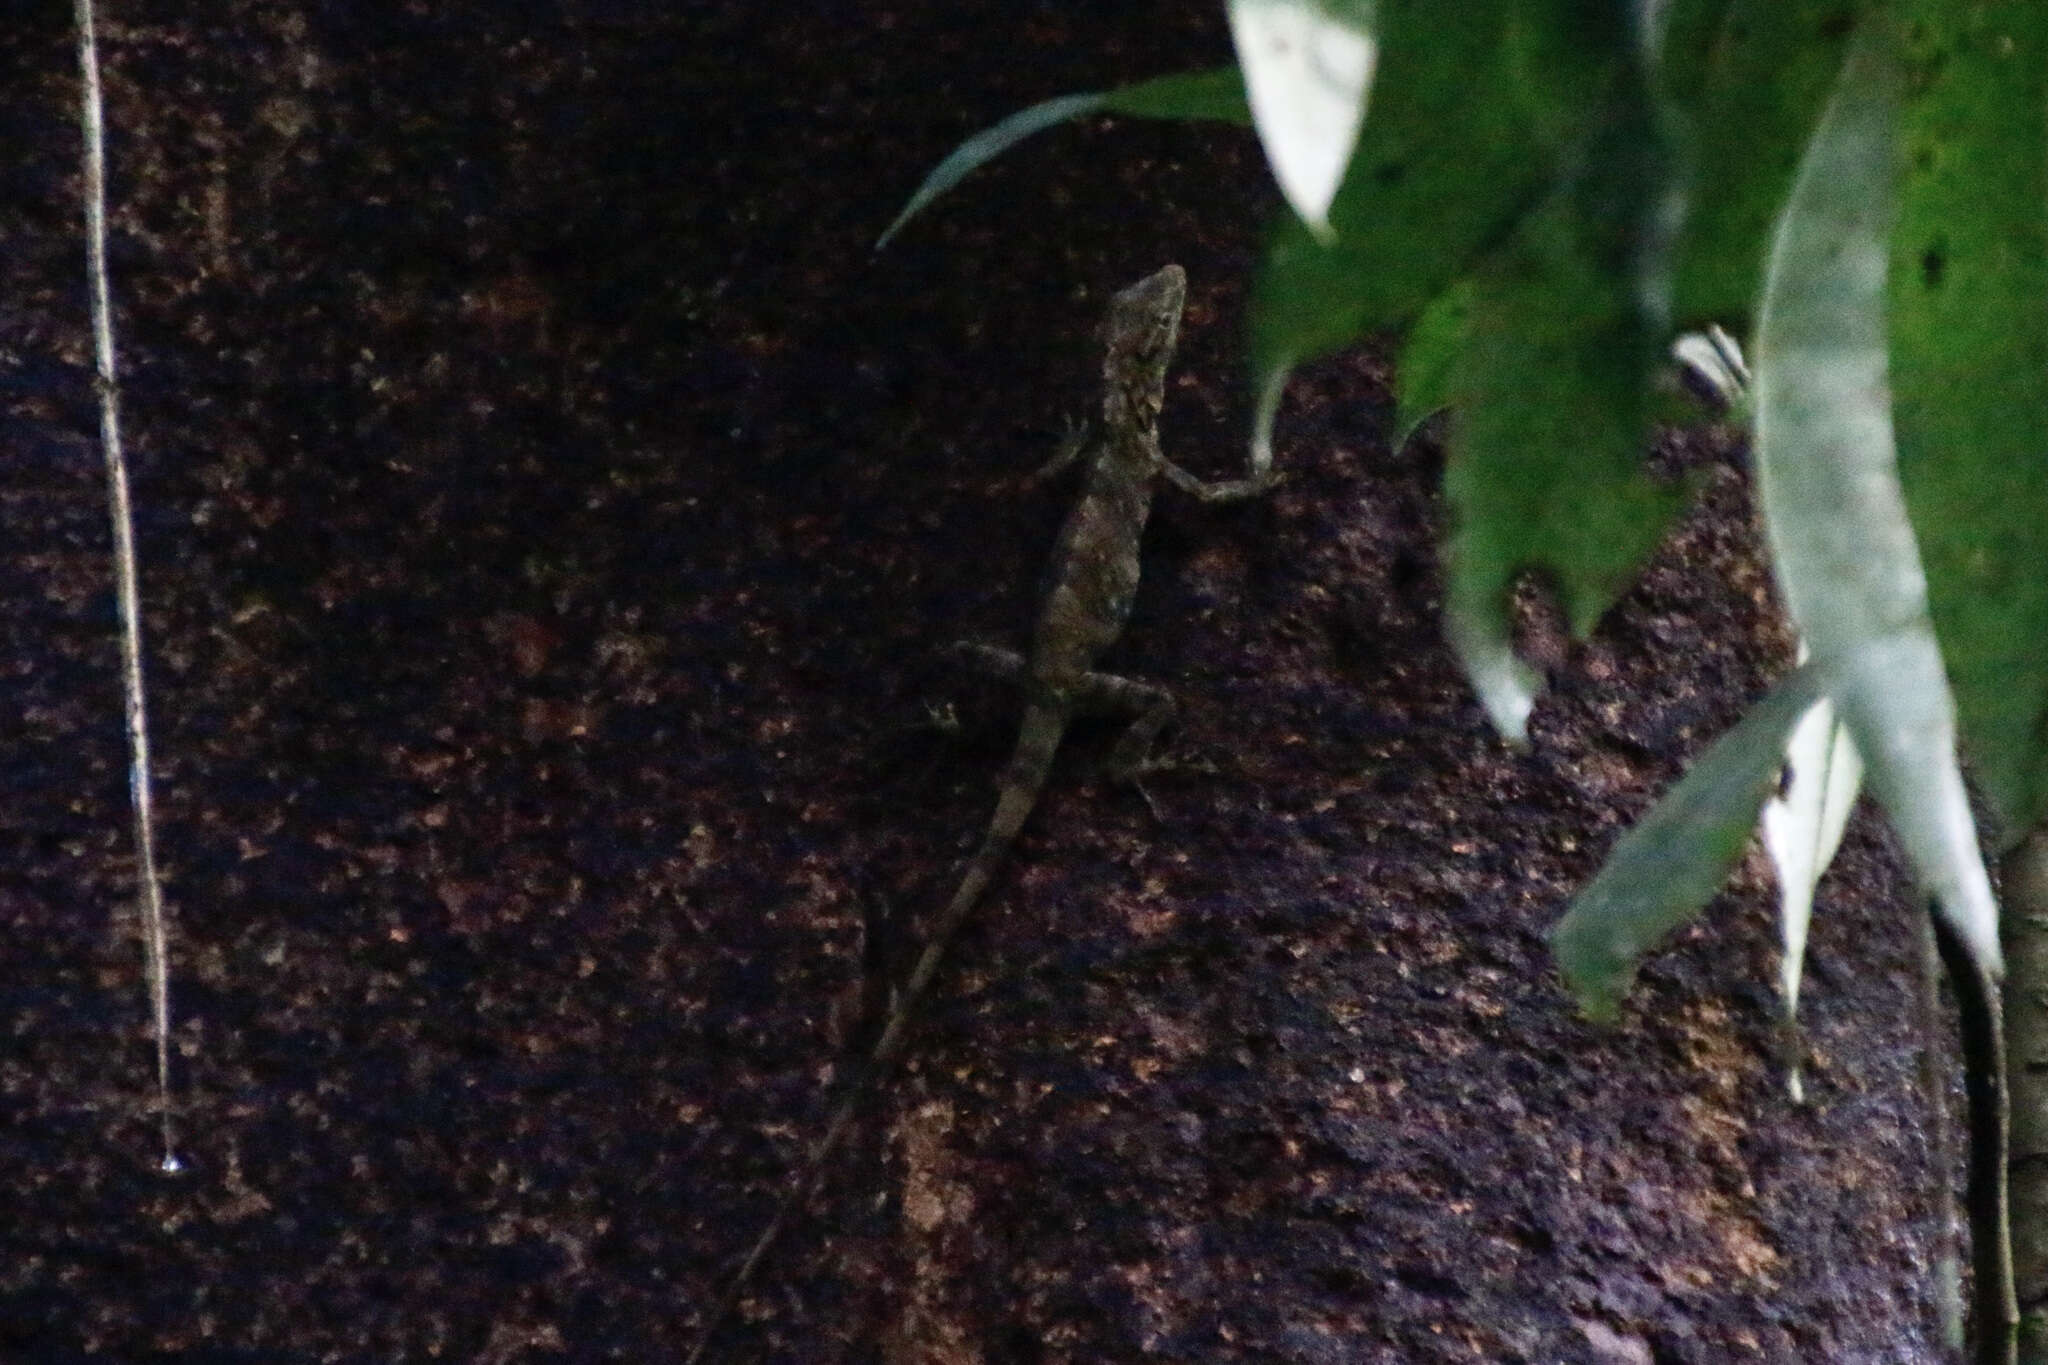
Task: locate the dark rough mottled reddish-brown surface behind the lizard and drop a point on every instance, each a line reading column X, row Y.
column 550, row 521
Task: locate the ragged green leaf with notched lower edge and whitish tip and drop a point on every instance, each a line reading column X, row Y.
column 1553, row 386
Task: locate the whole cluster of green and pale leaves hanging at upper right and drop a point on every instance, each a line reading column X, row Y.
column 1539, row 197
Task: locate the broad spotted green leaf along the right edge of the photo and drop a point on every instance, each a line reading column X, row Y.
column 1969, row 345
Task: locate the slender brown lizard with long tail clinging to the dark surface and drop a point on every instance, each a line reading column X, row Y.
column 1093, row 584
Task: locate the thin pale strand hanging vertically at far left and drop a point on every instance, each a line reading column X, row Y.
column 151, row 893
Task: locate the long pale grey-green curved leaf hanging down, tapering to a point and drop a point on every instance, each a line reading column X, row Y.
column 1828, row 480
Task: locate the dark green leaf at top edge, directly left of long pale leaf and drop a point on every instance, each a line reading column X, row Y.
column 1748, row 114
